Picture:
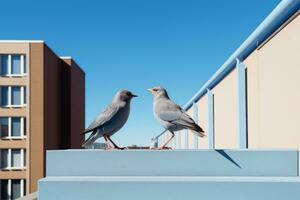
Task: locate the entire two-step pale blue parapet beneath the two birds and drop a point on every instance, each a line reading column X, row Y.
column 171, row 175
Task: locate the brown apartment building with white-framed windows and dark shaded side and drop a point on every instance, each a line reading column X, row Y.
column 41, row 108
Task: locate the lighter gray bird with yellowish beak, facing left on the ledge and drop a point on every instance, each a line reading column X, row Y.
column 171, row 116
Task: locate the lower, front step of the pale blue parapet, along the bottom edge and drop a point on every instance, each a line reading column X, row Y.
column 170, row 188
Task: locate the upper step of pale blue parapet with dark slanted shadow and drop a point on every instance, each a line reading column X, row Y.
column 172, row 163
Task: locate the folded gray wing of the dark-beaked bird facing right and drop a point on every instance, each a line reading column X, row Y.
column 104, row 117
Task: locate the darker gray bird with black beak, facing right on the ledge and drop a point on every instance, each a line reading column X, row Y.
column 110, row 120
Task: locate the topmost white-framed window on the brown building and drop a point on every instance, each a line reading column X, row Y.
column 12, row 65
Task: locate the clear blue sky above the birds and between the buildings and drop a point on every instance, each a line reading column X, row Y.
column 137, row 45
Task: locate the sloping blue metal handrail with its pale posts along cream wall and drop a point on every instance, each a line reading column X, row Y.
column 283, row 11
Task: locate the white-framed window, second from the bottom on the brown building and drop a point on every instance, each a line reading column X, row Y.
column 13, row 159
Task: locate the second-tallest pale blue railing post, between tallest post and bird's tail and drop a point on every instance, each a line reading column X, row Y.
column 211, row 124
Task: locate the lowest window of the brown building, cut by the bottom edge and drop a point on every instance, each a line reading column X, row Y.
column 12, row 188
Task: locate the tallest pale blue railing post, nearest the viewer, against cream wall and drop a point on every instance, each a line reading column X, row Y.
column 242, row 115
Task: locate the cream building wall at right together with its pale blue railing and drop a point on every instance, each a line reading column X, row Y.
column 252, row 101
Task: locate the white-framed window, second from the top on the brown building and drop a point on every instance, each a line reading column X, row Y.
column 13, row 96
